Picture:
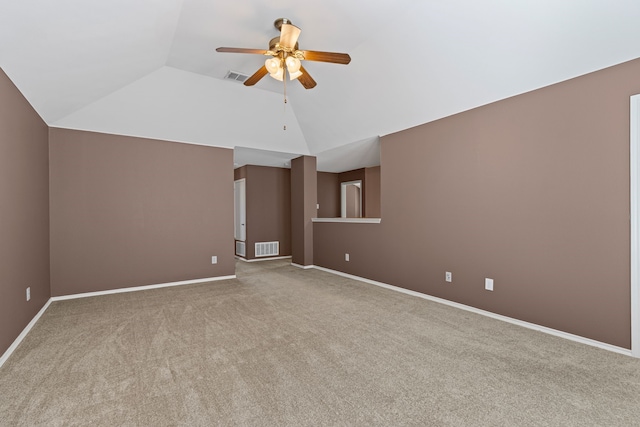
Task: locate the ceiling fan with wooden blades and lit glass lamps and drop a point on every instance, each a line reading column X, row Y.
column 285, row 57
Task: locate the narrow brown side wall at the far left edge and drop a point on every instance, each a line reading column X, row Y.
column 24, row 212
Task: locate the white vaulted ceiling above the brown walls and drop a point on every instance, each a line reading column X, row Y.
column 149, row 67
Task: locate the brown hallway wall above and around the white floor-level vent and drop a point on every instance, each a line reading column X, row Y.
column 268, row 196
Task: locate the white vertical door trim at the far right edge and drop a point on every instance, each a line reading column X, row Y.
column 634, row 215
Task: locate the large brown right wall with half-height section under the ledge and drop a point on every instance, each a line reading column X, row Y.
column 532, row 191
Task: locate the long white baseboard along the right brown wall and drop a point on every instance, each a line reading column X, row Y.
column 511, row 320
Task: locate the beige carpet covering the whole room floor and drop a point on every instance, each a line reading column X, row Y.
column 281, row 346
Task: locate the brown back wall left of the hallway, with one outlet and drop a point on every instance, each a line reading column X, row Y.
column 131, row 211
